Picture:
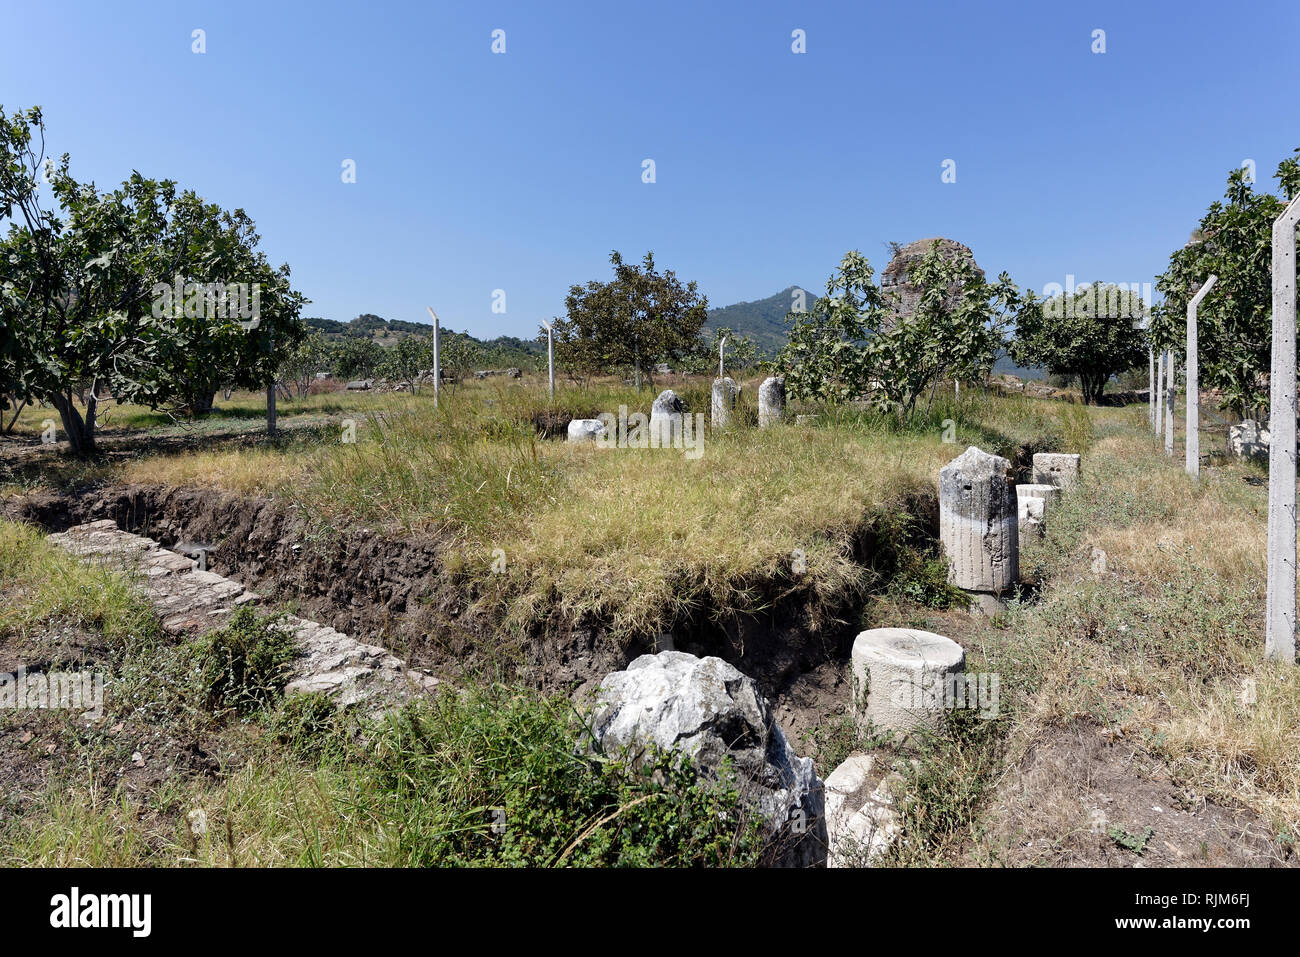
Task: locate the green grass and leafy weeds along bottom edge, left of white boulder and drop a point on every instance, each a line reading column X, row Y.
column 497, row 777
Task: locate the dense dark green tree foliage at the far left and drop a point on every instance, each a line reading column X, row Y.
column 83, row 302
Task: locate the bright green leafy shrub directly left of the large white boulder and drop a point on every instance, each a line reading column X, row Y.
column 500, row 777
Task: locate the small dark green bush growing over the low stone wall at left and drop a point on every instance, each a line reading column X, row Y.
column 245, row 665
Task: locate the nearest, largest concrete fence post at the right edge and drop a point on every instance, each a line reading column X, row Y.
column 1280, row 643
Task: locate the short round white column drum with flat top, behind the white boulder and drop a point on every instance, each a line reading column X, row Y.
column 900, row 678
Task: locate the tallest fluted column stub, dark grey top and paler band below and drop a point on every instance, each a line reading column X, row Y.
column 978, row 523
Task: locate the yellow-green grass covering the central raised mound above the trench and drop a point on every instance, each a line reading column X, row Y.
column 638, row 542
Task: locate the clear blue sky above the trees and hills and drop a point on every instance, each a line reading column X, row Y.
column 522, row 171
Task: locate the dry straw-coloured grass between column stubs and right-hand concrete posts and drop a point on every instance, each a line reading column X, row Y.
column 1167, row 644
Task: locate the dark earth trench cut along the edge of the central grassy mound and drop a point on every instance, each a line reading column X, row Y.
column 397, row 592
